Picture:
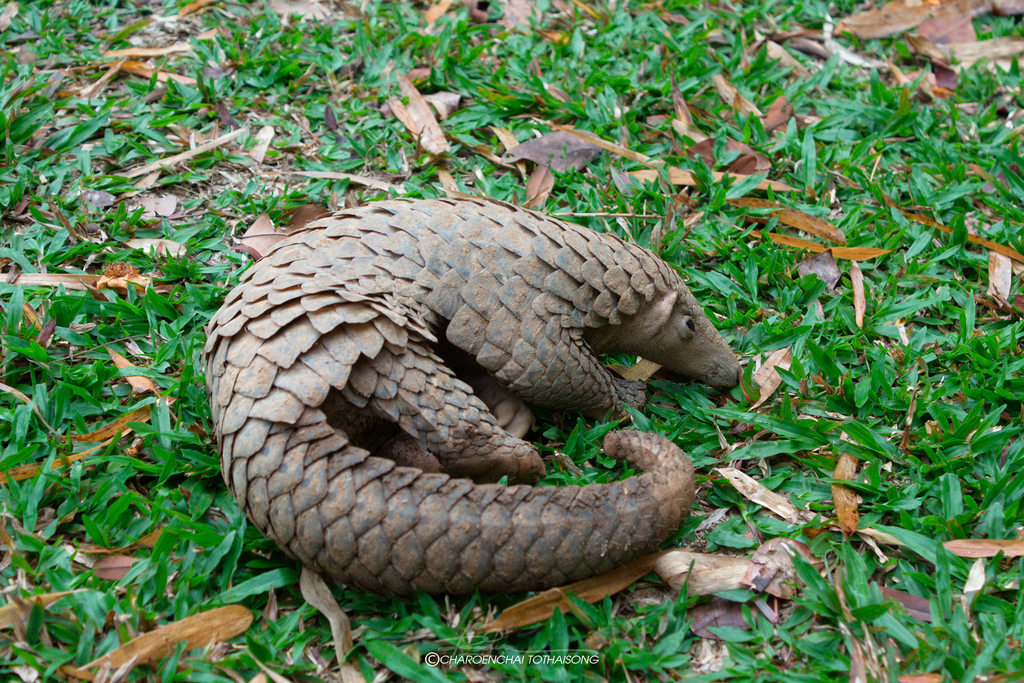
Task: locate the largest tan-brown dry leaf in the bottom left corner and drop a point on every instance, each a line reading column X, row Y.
column 198, row 631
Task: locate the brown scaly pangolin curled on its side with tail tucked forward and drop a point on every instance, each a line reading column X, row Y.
column 377, row 355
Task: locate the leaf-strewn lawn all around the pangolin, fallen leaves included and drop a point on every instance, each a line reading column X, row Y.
column 845, row 202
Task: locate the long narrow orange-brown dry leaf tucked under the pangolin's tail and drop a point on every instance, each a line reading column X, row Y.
column 542, row 607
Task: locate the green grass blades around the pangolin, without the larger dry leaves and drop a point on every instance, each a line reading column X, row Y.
column 956, row 385
